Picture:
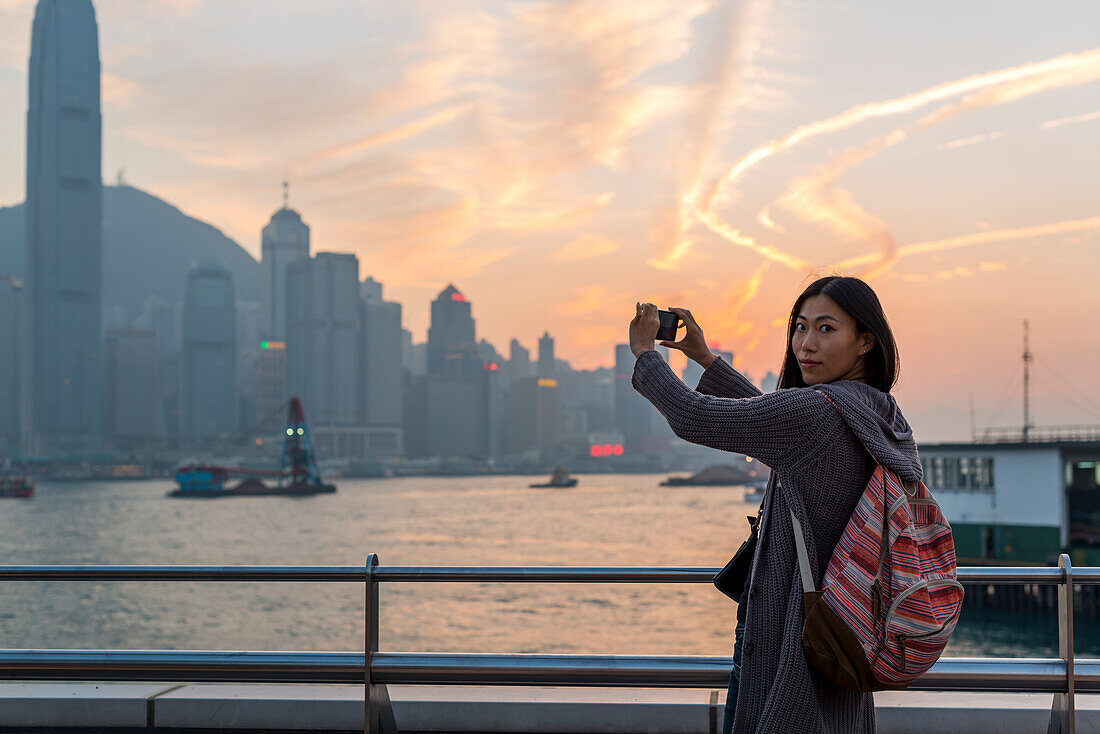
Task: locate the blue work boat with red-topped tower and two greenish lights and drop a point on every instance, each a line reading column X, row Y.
column 299, row 475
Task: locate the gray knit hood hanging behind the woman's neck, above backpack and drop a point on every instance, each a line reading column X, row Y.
column 877, row 422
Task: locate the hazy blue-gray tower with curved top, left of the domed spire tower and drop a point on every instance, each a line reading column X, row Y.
column 208, row 409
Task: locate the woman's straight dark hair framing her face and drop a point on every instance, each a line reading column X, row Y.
column 857, row 299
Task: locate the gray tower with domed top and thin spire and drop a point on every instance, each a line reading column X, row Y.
column 285, row 240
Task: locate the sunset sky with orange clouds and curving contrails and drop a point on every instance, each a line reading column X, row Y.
column 560, row 160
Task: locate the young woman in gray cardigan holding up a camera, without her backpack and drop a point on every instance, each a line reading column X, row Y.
column 832, row 413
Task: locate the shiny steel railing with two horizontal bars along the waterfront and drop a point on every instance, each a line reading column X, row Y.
column 377, row 670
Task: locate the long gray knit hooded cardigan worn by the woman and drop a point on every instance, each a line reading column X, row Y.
column 821, row 454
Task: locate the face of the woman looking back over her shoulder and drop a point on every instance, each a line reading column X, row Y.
column 828, row 344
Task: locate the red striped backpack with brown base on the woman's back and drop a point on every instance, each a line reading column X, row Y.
column 890, row 598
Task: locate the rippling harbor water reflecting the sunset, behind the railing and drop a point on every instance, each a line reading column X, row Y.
column 610, row 520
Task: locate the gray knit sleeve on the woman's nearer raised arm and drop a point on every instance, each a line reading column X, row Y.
column 776, row 428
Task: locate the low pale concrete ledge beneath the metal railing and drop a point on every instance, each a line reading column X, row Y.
column 287, row 708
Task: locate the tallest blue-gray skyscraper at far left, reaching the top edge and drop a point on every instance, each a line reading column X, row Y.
column 64, row 225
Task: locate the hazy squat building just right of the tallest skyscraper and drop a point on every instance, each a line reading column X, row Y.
column 130, row 389
